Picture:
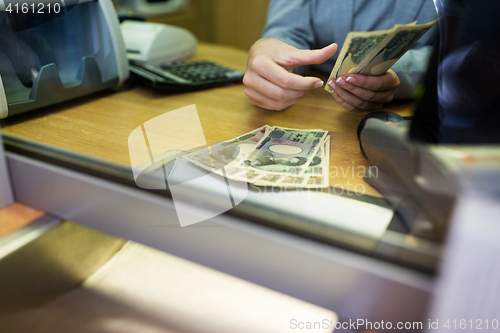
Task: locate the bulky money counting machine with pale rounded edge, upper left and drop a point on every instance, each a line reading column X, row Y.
column 50, row 54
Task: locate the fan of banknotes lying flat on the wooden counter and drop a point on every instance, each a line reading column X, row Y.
column 271, row 156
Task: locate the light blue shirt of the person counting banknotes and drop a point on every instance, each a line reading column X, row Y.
column 301, row 23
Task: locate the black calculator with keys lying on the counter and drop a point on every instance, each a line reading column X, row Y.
column 185, row 76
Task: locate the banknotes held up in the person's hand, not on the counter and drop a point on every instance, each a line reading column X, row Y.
column 374, row 52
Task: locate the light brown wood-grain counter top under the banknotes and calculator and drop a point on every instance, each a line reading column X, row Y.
column 99, row 125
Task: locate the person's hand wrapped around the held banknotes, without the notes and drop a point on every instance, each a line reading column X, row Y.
column 364, row 93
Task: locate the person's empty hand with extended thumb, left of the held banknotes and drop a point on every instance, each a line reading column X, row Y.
column 267, row 81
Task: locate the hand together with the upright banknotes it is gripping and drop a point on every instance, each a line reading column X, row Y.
column 361, row 79
